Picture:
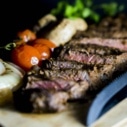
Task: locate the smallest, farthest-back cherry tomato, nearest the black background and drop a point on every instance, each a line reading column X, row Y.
column 26, row 35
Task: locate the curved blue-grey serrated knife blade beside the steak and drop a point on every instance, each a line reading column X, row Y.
column 107, row 98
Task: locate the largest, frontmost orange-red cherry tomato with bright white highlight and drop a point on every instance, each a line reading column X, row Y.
column 25, row 56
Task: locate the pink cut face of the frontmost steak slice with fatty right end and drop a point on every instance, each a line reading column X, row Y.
column 75, row 90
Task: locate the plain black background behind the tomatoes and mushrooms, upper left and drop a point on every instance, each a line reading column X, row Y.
column 21, row 14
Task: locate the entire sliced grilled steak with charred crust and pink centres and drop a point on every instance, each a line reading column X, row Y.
column 77, row 70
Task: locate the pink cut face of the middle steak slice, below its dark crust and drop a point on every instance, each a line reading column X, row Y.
column 90, row 59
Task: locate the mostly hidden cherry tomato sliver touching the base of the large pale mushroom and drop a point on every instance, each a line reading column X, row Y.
column 46, row 42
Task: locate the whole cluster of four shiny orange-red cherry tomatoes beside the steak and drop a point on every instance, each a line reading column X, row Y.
column 33, row 52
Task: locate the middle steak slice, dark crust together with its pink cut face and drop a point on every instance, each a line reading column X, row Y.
column 88, row 56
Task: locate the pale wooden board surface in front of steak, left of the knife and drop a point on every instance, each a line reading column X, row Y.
column 70, row 118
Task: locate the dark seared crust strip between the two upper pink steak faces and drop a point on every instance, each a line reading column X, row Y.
column 85, row 48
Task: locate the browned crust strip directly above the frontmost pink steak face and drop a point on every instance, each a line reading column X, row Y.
column 66, row 74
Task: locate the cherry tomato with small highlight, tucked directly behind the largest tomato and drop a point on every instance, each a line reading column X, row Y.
column 43, row 50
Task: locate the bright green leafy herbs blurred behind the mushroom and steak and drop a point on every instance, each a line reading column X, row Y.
column 86, row 9
